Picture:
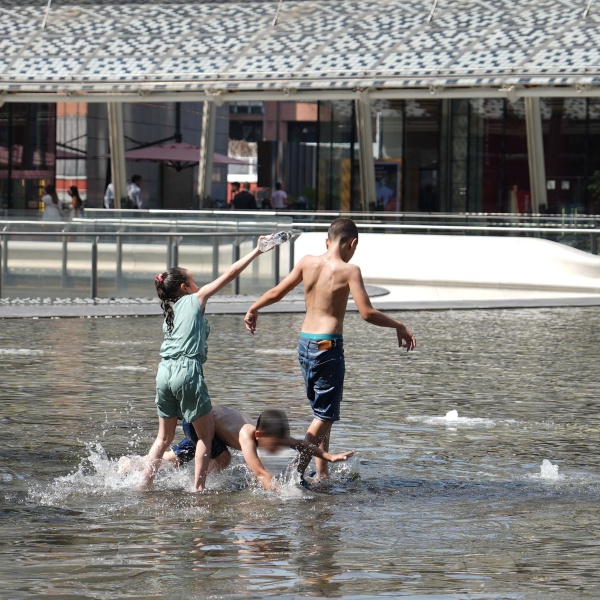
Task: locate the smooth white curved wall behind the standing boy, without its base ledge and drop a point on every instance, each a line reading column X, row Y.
column 482, row 261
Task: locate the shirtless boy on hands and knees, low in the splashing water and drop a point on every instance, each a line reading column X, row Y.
column 234, row 430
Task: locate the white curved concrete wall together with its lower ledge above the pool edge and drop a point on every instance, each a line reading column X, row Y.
column 454, row 269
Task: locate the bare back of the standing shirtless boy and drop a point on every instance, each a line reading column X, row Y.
column 326, row 290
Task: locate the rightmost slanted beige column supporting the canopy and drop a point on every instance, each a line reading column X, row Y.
column 535, row 152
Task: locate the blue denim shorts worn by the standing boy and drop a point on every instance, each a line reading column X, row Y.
column 323, row 372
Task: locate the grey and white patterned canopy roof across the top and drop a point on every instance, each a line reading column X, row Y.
column 325, row 43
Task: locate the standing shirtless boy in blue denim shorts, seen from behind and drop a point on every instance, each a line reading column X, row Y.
column 328, row 281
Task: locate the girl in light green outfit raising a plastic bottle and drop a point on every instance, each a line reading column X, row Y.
column 180, row 387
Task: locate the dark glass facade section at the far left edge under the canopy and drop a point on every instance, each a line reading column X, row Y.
column 27, row 154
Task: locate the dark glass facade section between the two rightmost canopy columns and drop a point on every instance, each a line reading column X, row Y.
column 453, row 155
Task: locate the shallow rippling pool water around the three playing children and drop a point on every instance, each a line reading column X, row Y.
column 496, row 500
